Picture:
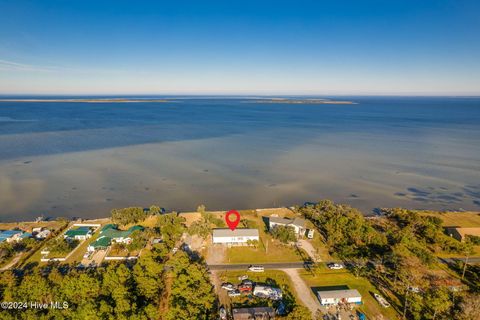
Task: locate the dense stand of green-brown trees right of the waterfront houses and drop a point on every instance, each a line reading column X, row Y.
column 398, row 252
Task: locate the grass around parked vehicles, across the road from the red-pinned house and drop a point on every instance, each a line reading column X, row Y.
column 275, row 278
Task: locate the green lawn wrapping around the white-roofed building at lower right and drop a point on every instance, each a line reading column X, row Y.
column 341, row 278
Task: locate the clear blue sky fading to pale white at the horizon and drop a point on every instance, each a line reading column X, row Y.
column 240, row 47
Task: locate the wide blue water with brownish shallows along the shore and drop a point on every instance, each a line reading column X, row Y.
column 83, row 159
